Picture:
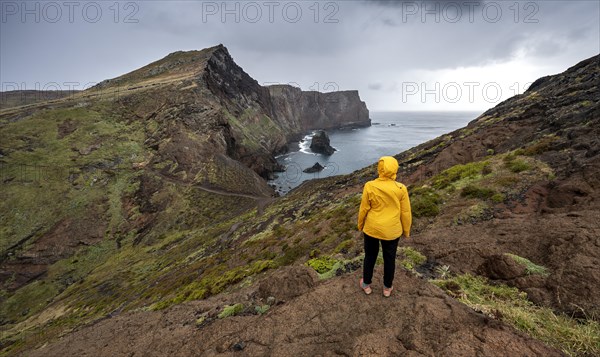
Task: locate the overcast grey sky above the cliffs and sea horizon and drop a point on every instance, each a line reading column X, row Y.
column 400, row 55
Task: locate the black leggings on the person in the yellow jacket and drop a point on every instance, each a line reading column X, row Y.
column 389, row 248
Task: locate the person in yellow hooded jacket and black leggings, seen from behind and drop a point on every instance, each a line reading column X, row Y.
column 384, row 216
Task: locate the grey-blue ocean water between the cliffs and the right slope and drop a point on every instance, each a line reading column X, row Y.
column 390, row 133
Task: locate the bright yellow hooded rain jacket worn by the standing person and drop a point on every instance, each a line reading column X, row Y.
column 385, row 208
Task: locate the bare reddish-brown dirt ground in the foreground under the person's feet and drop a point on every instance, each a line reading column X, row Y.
column 328, row 318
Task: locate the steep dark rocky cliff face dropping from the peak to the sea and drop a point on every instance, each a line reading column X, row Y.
column 265, row 119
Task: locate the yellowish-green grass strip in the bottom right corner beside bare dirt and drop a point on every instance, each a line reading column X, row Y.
column 574, row 337
